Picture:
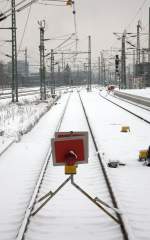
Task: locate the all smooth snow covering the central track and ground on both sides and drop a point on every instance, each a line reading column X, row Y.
column 69, row 215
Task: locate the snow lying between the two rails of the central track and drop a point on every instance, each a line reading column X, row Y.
column 69, row 215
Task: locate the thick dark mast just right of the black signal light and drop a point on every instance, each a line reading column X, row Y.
column 123, row 62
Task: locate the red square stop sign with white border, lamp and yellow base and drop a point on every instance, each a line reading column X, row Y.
column 70, row 149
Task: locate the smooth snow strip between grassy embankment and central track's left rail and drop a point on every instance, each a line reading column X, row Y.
column 19, row 169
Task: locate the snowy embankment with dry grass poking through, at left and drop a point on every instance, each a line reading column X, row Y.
column 18, row 119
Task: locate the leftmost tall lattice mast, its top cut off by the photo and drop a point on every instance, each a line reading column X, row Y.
column 14, row 55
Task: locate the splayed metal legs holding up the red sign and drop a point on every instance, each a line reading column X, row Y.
column 98, row 202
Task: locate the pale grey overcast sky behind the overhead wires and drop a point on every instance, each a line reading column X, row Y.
column 98, row 18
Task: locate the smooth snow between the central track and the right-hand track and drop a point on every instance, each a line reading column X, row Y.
column 131, row 181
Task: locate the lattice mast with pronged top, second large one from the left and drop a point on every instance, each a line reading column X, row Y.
column 42, row 61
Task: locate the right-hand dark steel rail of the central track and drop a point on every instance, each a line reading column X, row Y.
column 108, row 183
